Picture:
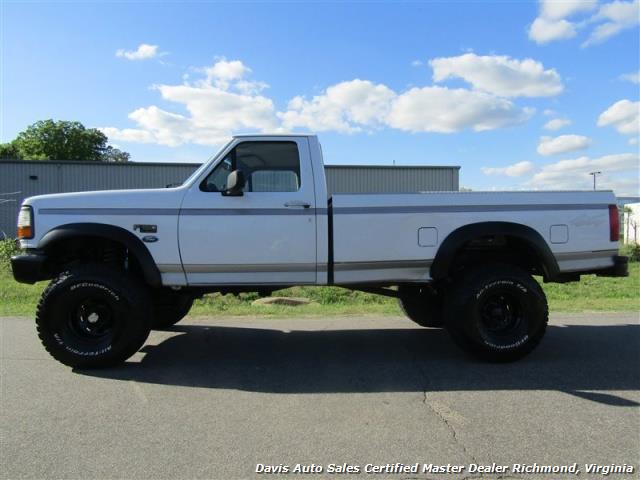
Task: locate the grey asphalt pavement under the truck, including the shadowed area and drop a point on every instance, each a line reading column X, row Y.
column 216, row 396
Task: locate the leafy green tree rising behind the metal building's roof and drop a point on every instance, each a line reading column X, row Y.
column 62, row 140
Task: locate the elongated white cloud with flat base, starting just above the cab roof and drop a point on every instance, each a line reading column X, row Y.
column 361, row 105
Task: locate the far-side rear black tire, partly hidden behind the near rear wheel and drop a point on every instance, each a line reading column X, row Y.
column 422, row 304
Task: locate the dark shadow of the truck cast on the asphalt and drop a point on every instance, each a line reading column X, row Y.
column 590, row 362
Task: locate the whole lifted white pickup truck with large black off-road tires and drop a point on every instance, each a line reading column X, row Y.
column 257, row 217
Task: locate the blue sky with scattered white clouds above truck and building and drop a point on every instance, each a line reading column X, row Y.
column 446, row 83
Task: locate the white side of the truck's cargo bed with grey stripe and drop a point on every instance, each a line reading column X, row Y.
column 395, row 237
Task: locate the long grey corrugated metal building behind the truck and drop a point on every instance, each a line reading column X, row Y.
column 21, row 179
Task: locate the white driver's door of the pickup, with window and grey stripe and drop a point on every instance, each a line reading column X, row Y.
column 265, row 236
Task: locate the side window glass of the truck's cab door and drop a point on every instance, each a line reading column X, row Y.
column 267, row 167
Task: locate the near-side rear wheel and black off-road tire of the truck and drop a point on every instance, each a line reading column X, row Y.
column 496, row 312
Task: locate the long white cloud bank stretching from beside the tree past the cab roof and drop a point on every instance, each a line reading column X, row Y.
column 225, row 100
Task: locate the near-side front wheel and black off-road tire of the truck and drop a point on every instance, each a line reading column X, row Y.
column 93, row 316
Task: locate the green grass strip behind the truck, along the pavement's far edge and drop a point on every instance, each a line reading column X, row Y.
column 590, row 294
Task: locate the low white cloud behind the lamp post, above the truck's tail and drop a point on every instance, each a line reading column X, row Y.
column 619, row 173
